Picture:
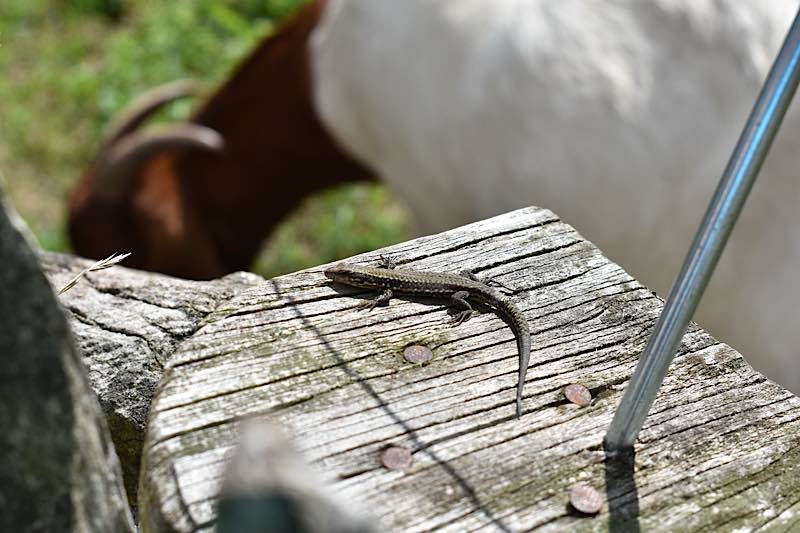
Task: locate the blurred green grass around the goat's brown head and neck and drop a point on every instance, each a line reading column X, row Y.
column 68, row 66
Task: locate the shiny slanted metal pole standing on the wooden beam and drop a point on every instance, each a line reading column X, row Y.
column 724, row 209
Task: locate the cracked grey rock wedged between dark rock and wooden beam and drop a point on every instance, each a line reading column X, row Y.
column 127, row 323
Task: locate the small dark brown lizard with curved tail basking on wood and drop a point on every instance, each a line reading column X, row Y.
column 459, row 288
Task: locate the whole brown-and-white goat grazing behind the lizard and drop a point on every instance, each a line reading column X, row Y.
column 617, row 115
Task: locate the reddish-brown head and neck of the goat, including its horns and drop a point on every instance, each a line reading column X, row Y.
column 195, row 200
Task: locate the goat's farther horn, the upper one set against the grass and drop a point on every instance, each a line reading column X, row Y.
column 144, row 106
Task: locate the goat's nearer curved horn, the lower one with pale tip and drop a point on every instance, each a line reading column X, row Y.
column 121, row 162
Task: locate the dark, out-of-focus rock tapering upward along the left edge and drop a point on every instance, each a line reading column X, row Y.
column 59, row 470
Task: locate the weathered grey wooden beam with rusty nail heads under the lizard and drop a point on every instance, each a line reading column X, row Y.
column 719, row 449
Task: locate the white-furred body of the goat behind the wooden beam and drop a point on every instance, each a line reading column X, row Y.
column 617, row 115
